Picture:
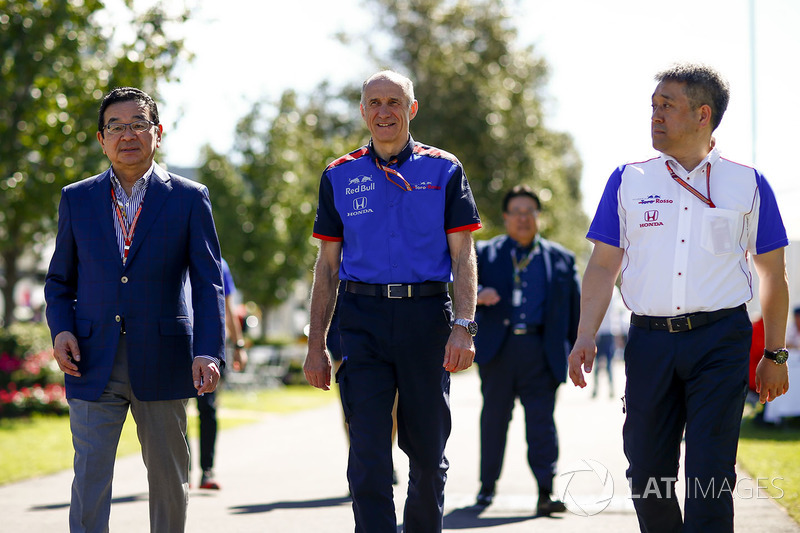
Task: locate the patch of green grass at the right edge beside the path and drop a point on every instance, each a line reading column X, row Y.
column 772, row 453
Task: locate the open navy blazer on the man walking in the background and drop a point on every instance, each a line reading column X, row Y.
column 562, row 301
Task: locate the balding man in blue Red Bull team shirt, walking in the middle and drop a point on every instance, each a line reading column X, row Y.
column 394, row 221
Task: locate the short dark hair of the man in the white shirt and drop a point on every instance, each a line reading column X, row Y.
column 703, row 86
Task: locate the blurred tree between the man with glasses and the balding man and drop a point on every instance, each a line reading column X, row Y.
column 264, row 206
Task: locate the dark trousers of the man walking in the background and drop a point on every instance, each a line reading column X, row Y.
column 519, row 370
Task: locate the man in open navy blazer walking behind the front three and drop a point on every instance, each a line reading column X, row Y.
column 528, row 310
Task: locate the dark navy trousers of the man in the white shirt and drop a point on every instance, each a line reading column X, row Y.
column 693, row 381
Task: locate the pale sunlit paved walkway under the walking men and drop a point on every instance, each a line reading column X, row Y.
column 287, row 474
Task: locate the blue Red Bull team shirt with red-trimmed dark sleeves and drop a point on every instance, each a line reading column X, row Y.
column 390, row 234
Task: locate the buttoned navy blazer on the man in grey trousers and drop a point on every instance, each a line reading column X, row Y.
column 89, row 291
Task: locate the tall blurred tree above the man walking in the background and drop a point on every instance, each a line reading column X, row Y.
column 481, row 99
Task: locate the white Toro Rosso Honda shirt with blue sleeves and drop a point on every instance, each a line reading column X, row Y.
column 682, row 256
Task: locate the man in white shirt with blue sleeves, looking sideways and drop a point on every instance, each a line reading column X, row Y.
column 680, row 229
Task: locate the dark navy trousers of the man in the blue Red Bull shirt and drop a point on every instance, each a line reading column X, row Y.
column 394, row 345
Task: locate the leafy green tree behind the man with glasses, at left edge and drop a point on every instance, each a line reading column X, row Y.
column 57, row 60
